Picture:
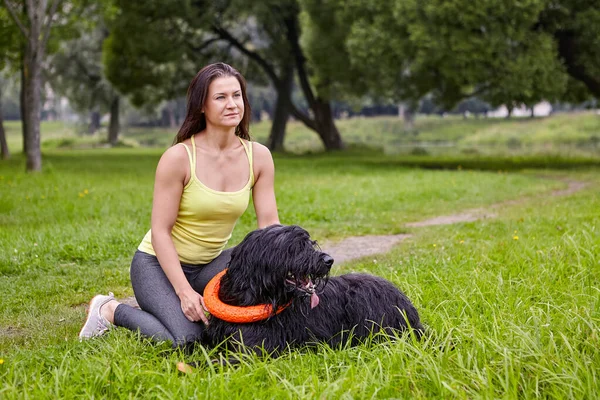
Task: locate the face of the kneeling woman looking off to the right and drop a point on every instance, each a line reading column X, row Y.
column 224, row 105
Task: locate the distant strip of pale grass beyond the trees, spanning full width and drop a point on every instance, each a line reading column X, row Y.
column 568, row 134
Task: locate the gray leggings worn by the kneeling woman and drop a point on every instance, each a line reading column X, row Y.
column 160, row 316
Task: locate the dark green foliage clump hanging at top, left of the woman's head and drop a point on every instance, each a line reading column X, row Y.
column 145, row 55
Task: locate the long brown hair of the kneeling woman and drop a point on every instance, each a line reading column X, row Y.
column 195, row 121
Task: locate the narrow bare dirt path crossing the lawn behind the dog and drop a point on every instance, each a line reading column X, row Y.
column 355, row 247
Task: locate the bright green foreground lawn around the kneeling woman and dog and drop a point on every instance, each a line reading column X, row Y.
column 511, row 303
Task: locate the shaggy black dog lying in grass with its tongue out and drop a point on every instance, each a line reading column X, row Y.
column 280, row 267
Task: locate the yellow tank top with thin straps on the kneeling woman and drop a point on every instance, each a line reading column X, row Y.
column 206, row 217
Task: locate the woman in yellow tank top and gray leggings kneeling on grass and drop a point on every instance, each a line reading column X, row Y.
column 202, row 187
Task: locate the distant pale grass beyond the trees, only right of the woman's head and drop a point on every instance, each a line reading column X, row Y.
column 568, row 133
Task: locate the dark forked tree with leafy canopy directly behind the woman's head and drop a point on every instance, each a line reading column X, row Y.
column 262, row 38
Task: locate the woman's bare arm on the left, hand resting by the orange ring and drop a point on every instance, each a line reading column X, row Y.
column 171, row 174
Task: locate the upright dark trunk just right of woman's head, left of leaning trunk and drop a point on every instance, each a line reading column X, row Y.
column 282, row 111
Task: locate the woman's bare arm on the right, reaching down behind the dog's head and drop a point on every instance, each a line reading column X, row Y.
column 263, row 192
